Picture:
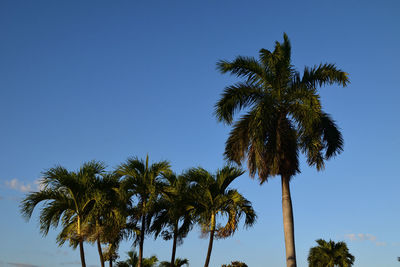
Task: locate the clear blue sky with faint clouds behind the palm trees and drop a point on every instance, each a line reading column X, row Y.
column 105, row 80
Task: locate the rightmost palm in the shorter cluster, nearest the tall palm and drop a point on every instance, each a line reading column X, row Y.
column 213, row 198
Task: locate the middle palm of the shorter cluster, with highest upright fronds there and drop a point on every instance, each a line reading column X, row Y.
column 143, row 182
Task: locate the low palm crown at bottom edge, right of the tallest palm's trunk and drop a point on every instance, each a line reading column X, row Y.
column 330, row 254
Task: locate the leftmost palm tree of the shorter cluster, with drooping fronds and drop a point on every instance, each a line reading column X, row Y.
column 66, row 196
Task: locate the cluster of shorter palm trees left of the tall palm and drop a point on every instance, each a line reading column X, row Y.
column 134, row 200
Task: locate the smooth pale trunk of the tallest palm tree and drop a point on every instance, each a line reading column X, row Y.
column 288, row 225
